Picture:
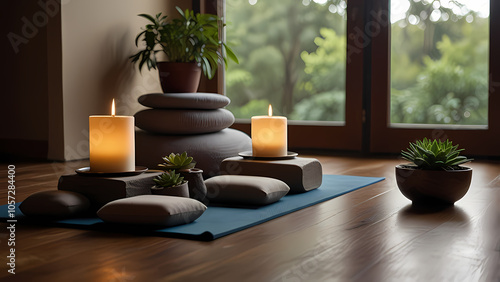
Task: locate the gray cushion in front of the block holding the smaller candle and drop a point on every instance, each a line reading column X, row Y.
column 246, row 190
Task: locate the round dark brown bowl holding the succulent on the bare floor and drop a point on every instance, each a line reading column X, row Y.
column 433, row 186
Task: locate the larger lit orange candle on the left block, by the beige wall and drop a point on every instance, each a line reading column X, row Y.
column 112, row 144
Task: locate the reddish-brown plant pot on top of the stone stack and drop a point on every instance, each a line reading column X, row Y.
column 179, row 77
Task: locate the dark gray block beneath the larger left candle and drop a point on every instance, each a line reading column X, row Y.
column 102, row 190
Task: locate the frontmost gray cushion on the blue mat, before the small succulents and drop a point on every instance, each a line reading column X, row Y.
column 152, row 210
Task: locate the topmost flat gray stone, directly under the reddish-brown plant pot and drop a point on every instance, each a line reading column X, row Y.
column 207, row 101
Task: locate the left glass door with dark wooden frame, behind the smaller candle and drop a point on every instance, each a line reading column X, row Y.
column 293, row 55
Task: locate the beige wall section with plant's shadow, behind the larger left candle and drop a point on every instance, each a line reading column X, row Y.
column 97, row 39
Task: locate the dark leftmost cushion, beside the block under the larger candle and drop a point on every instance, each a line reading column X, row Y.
column 55, row 203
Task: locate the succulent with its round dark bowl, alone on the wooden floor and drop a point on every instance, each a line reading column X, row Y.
column 436, row 174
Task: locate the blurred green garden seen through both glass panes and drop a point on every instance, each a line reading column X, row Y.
column 293, row 55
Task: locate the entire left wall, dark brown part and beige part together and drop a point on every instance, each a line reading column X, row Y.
column 71, row 67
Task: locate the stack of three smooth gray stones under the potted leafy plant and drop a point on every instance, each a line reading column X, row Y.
column 192, row 122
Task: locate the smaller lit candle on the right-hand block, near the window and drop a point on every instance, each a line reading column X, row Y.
column 269, row 135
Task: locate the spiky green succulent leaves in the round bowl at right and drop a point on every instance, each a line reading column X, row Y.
column 434, row 155
